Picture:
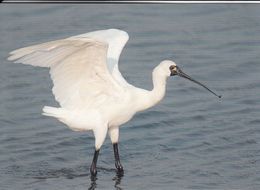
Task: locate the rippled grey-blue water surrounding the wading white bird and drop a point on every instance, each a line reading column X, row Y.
column 191, row 140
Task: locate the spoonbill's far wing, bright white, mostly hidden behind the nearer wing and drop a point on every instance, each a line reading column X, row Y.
column 116, row 40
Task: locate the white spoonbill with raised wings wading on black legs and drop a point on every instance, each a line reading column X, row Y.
column 92, row 93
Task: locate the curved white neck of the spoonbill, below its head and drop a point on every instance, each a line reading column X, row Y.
column 151, row 98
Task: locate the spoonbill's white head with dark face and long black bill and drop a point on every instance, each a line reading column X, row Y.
column 169, row 68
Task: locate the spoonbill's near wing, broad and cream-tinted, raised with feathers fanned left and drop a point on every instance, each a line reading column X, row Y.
column 77, row 67
